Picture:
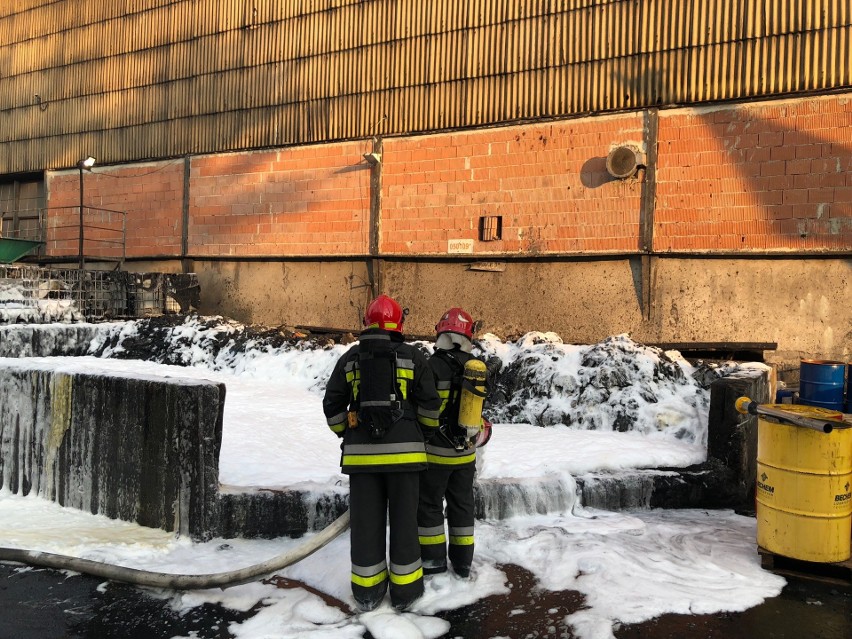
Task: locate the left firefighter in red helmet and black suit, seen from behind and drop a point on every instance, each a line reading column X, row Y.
column 381, row 400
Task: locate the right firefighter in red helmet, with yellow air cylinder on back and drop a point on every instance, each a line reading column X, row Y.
column 451, row 455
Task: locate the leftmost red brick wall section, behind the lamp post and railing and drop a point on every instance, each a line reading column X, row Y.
column 150, row 194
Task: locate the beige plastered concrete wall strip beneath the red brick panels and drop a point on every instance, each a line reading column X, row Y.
column 799, row 304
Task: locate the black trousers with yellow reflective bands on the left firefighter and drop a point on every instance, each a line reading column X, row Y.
column 372, row 498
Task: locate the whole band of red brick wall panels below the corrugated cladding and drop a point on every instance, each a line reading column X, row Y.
column 762, row 177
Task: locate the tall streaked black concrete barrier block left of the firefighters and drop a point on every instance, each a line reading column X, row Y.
column 140, row 449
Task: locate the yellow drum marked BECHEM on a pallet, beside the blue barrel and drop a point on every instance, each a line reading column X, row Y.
column 804, row 487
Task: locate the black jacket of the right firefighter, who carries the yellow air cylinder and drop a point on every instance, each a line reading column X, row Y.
column 444, row 449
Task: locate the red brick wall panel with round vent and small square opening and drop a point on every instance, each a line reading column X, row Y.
column 547, row 181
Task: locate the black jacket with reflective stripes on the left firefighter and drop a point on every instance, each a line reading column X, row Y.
column 383, row 422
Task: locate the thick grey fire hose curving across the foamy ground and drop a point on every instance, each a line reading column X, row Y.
column 170, row 581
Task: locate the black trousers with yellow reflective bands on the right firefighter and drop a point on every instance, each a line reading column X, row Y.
column 455, row 484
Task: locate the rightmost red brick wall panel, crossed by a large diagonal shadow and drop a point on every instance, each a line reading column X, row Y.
column 771, row 176
